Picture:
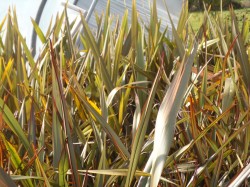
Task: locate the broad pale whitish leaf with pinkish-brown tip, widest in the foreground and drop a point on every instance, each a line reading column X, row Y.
column 166, row 118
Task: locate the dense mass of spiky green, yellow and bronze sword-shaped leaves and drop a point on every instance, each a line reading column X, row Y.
column 131, row 106
